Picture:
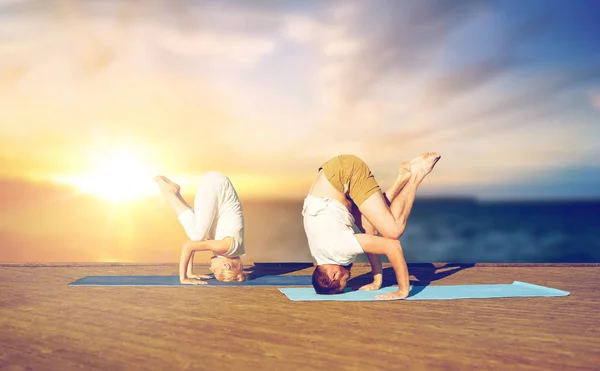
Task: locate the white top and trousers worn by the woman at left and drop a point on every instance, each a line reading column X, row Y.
column 217, row 213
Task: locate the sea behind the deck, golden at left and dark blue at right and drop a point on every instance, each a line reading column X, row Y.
column 58, row 225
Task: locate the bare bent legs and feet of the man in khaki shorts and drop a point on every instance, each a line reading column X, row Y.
column 391, row 221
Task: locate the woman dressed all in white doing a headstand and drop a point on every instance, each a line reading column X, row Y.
column 214, row 224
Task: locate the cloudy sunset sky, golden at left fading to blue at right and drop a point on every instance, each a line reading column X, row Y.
column 98, row 96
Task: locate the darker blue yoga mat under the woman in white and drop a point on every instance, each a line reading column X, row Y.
column 174, row 281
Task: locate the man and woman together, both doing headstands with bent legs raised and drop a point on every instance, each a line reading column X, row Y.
column 344, row 193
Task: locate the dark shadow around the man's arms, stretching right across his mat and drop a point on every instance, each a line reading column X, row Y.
column 424, row 273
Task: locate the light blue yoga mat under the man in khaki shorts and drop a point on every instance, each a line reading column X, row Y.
column 516, row 289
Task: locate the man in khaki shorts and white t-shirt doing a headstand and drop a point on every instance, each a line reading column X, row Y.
column 345, row 192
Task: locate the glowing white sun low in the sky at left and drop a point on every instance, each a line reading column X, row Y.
column 115, row 176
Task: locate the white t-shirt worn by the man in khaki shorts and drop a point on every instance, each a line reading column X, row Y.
column 328, row 227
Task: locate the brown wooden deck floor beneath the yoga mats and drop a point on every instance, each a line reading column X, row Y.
column 47, row 325
